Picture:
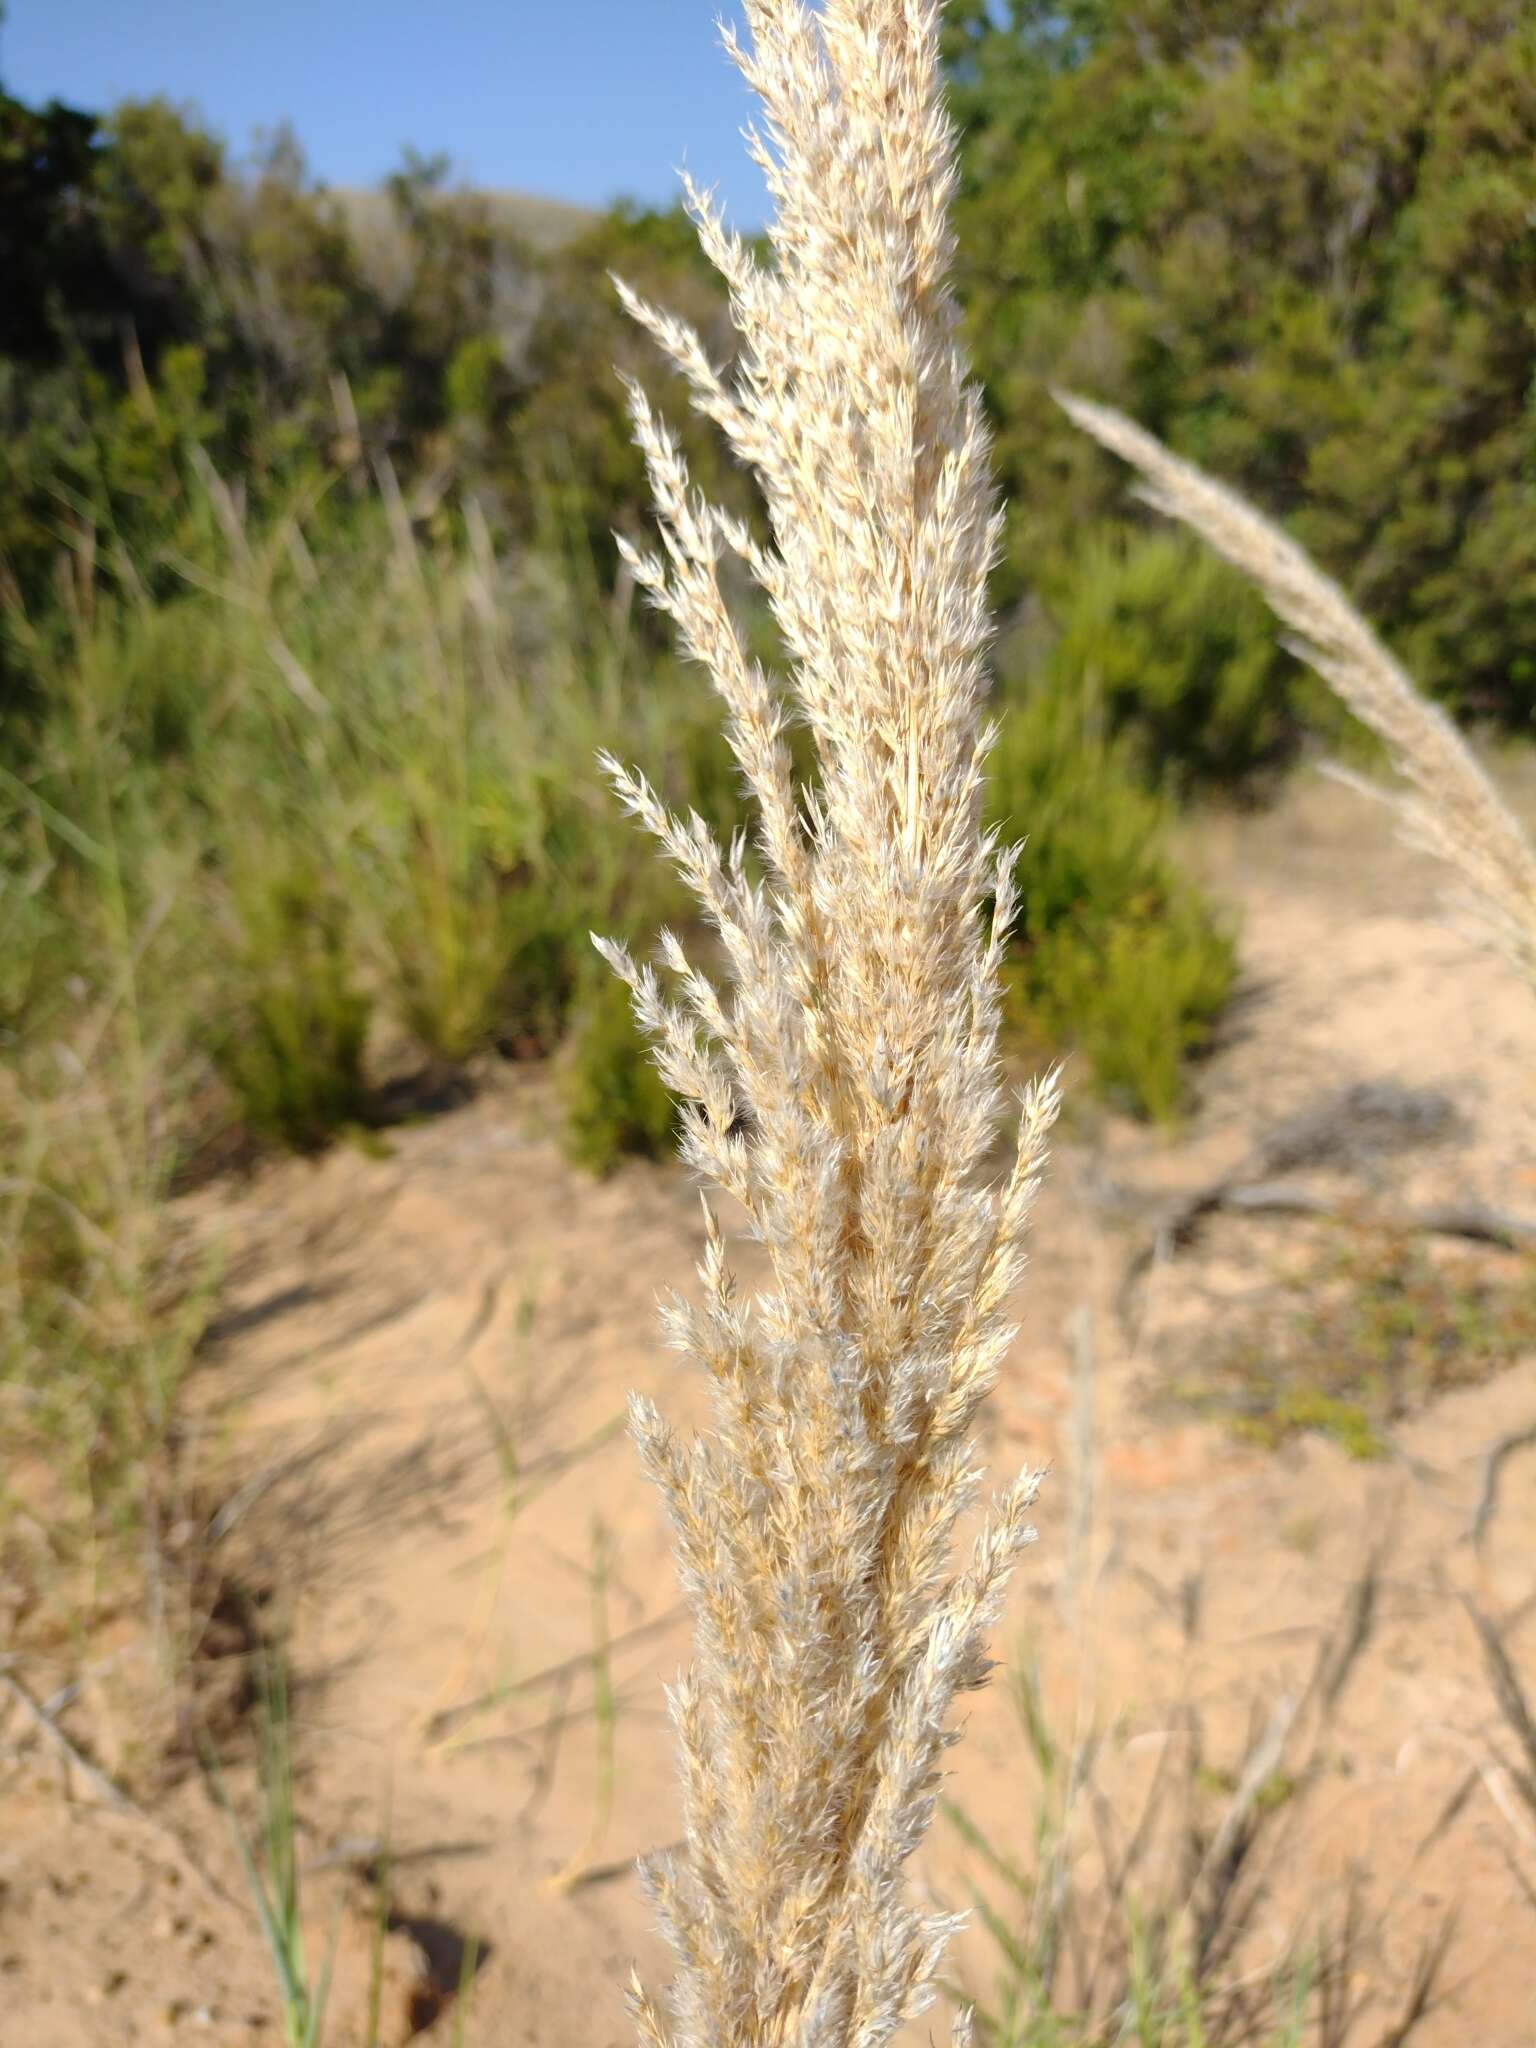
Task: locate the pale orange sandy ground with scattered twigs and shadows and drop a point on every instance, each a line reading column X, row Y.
column 413, row 1404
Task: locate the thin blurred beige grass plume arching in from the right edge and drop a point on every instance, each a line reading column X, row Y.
column 1451, row 808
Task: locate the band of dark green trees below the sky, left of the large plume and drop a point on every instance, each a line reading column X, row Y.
column 175, row 302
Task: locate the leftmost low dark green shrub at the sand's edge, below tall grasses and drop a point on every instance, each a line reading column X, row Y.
column 292, row 1039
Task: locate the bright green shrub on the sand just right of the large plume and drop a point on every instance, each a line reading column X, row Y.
column 1117, row 951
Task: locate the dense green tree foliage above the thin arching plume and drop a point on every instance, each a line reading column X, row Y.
column 1302, row 247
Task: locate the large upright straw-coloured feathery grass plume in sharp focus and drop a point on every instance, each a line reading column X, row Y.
column 843, row 1082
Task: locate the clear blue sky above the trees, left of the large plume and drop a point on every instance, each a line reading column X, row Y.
column 579, row 99
